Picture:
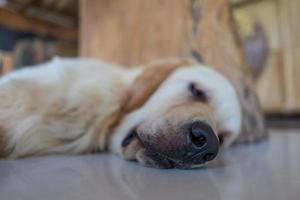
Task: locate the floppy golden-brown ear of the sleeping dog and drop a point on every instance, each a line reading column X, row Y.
column 150, row 79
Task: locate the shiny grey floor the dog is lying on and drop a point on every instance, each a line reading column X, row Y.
column 266, row 171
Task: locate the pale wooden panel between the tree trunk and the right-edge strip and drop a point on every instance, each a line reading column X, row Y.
column 270, row 85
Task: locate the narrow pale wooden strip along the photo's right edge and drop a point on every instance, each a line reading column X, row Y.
column 290, row 30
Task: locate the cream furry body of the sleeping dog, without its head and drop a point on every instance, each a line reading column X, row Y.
column 64, row 106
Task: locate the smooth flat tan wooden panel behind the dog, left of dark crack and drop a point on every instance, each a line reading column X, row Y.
column 129, row 32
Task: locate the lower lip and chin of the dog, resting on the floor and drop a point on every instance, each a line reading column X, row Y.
column 133, row 148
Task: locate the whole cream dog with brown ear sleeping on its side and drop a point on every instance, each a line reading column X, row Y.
column 172, row 113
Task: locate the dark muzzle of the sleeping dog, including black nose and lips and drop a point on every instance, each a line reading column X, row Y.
column 195, row 144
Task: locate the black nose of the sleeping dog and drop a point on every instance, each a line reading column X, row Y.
column 203, row 143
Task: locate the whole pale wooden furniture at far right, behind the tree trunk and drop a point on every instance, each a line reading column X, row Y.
column 279, row 85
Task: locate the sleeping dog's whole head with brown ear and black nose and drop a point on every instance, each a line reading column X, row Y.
column 182, row 113
